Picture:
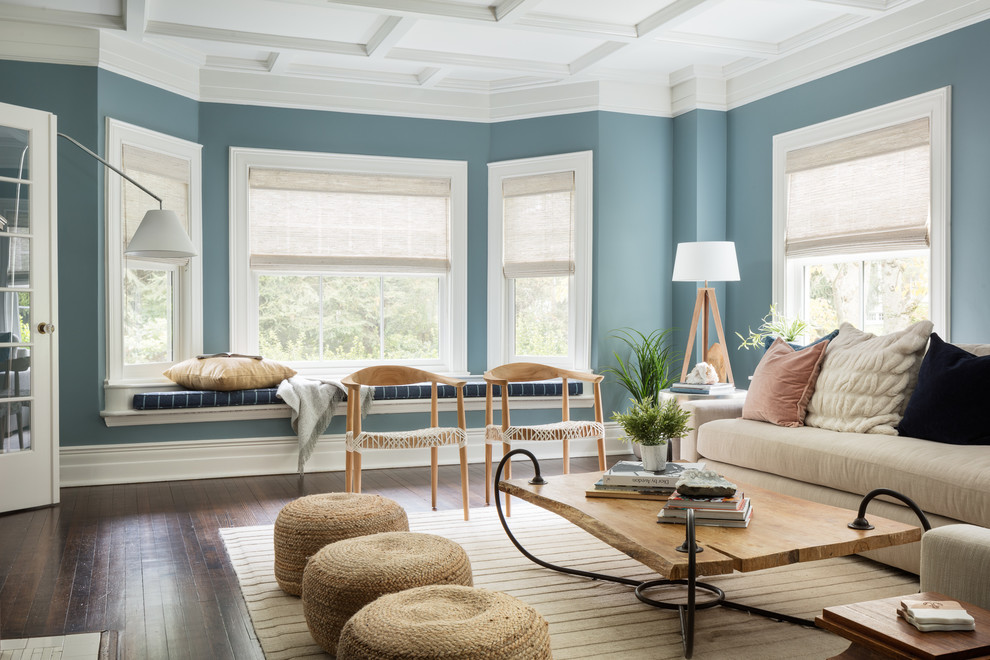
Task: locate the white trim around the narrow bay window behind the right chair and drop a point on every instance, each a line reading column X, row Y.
column 500, row 349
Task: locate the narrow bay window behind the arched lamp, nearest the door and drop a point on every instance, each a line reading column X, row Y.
column 154, row 306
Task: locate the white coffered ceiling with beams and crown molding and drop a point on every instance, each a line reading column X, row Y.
column 475, row 59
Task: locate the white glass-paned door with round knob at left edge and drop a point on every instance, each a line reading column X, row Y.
column 28, row 373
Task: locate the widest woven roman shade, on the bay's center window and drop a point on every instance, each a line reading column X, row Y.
column 343, row 221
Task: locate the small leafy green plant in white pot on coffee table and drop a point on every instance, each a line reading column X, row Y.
column 651, row 425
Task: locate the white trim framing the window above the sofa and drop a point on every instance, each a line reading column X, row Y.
column 936, row 105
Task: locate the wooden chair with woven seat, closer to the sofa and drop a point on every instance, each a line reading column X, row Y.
column 563, row 431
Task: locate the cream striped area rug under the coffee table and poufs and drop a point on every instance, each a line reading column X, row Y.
column 591, row 619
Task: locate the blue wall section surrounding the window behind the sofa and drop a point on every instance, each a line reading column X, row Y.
column 957, row 59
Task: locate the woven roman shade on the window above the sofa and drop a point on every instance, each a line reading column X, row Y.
column 865, row 193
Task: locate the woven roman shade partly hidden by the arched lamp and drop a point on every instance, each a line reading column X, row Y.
column 167, row 175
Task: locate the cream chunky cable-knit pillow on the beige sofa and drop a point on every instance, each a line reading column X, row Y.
column 866, row 381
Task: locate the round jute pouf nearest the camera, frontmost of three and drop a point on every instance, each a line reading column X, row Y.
column 446, row 622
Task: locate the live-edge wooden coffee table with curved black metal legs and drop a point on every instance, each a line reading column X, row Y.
column 784, row 530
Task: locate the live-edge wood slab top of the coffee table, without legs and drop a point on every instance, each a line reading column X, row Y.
column 784, row 530
